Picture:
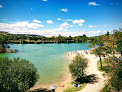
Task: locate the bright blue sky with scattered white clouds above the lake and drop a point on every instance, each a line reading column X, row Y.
column 60, row 17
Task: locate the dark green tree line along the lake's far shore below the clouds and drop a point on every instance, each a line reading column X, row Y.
column 59, row 38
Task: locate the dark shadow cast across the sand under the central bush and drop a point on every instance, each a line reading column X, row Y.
column 88, row 79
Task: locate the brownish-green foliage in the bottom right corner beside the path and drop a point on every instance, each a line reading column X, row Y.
column 113, row 67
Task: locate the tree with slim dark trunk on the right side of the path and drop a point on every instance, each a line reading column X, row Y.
column 99, row 50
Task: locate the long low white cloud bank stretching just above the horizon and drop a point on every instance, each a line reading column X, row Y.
column 23, row 28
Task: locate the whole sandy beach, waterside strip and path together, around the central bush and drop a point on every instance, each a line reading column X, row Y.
column 91, row 70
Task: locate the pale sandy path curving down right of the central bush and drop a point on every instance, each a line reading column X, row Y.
column 92, row 70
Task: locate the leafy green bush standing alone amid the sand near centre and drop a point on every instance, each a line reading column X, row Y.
column 78, row 66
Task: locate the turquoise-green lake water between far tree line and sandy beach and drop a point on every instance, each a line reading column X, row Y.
column 49, row 59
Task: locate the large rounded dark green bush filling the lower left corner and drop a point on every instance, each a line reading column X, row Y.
column 16, row 75
